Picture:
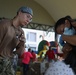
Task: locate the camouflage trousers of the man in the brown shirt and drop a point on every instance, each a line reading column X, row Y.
column 6, row 67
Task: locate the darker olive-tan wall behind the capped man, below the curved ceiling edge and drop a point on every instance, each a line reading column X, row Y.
column 8, row 9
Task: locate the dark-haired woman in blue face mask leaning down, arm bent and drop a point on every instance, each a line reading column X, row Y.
column 66, row 27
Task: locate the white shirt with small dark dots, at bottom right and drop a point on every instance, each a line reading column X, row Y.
column 59, row 68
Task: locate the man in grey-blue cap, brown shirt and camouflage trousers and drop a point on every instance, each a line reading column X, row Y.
column 12, row 37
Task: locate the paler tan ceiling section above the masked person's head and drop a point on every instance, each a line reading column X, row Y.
column 59, row 8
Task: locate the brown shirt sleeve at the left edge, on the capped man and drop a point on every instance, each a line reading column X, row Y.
column 4, row 35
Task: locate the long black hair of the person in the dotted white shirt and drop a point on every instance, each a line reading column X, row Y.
column 71, row 59
